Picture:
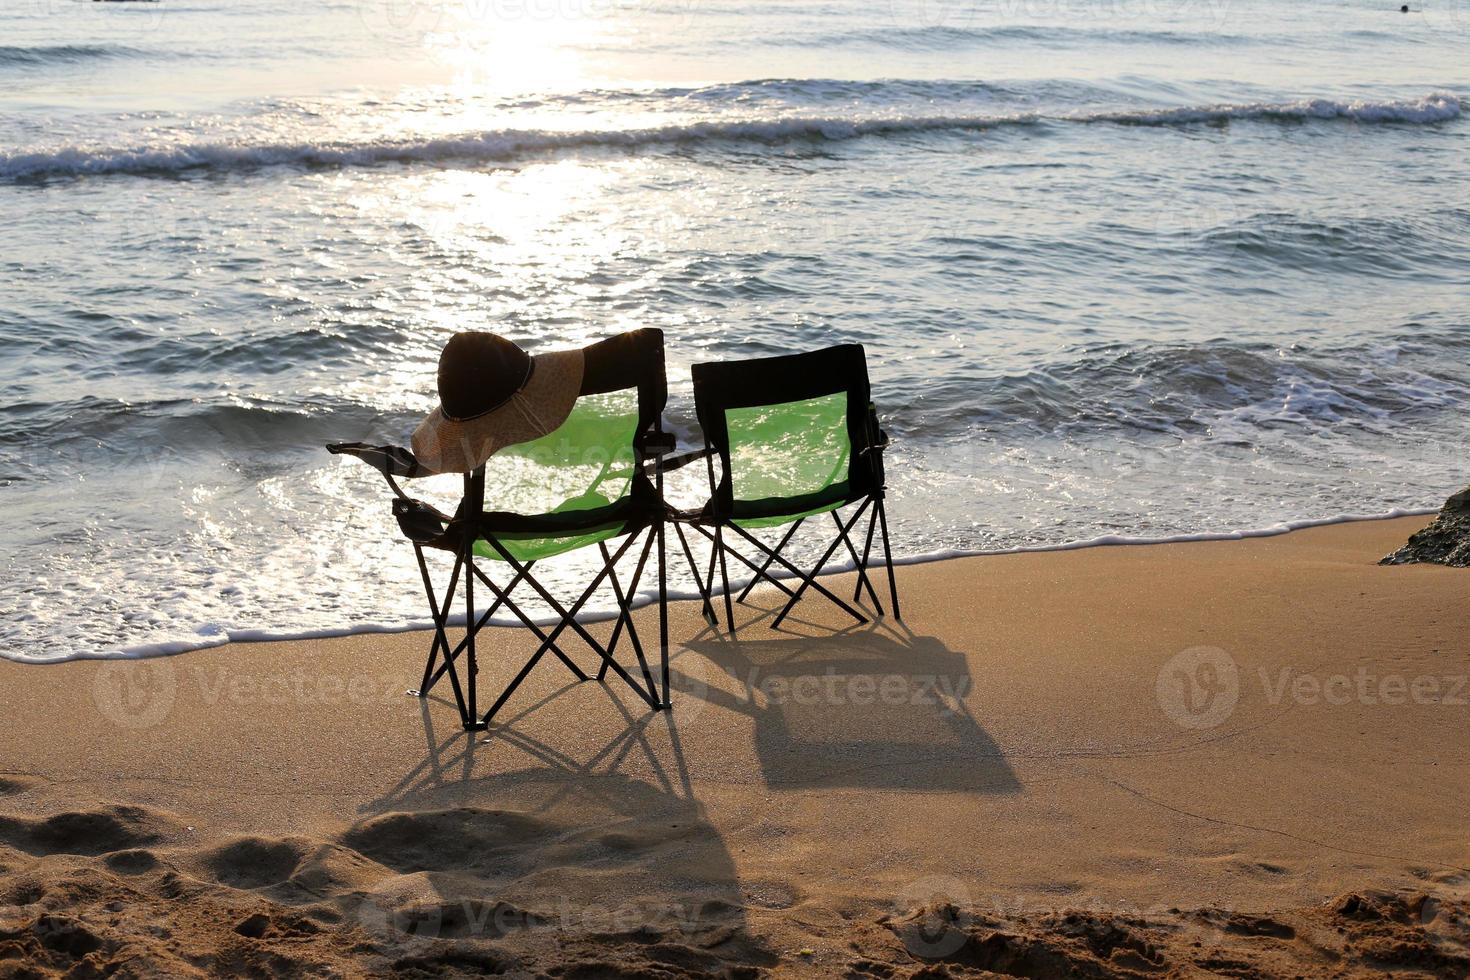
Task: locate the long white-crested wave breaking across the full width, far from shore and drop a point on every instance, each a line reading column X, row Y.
column 515, row 143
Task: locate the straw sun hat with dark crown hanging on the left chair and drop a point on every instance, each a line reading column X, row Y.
column 493, row 394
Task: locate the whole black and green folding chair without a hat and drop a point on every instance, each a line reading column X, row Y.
column 796, row 437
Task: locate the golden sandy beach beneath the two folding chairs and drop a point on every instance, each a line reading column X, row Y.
column 1219, row 759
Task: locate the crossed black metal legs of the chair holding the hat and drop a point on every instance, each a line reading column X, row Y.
column 443, row 657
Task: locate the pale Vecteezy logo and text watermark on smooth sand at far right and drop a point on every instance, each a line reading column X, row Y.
column 1199, row 688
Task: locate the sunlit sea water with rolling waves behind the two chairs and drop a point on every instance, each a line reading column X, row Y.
column 1124, row 268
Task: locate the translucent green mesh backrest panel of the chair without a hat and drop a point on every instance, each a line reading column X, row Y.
column 790, row 449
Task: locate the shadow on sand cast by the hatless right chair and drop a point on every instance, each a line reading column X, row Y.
column 872, row 706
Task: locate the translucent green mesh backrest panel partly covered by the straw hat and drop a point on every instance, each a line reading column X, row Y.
column 587, row 464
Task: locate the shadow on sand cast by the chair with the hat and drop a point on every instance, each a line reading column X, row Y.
column 568, row 856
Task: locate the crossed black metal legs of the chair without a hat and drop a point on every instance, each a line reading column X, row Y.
column 877, row 521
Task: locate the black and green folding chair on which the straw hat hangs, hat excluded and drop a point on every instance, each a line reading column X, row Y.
column 589, row 483
